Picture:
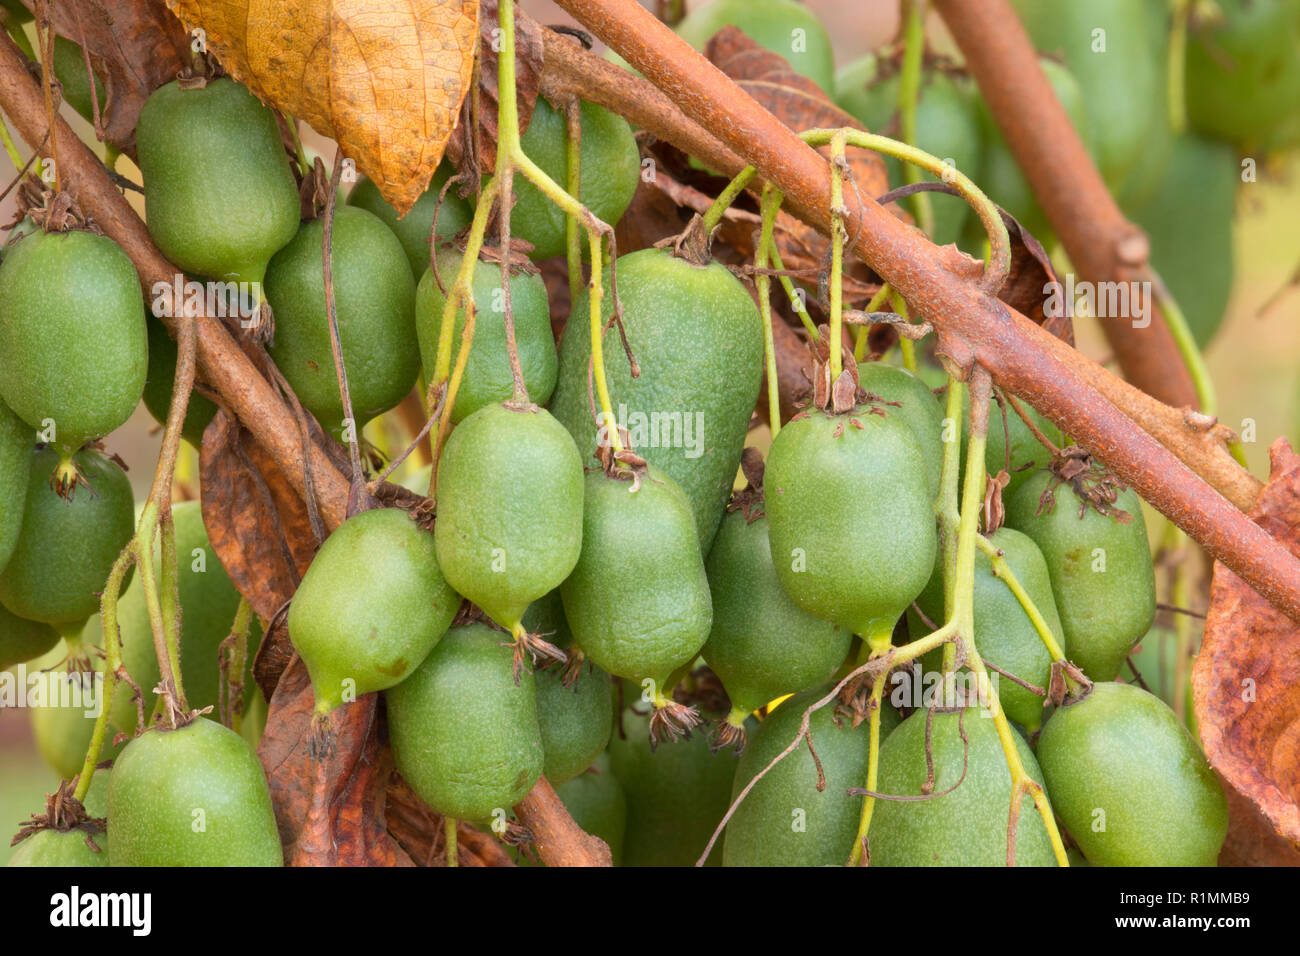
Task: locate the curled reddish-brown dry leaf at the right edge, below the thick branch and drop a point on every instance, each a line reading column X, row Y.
column 1246, row 682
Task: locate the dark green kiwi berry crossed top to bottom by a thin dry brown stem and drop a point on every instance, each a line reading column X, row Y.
column 375, row 302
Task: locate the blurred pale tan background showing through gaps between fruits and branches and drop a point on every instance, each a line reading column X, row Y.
column 1254, row 360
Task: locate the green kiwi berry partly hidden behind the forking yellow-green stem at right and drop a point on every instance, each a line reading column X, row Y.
column 1004, row 634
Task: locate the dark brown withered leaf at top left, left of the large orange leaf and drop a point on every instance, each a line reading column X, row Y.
column 136, row 46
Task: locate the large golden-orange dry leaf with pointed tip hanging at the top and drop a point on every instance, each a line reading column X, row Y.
column 384, row 80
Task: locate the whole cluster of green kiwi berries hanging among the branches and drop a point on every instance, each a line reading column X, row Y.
column 573, row 612
